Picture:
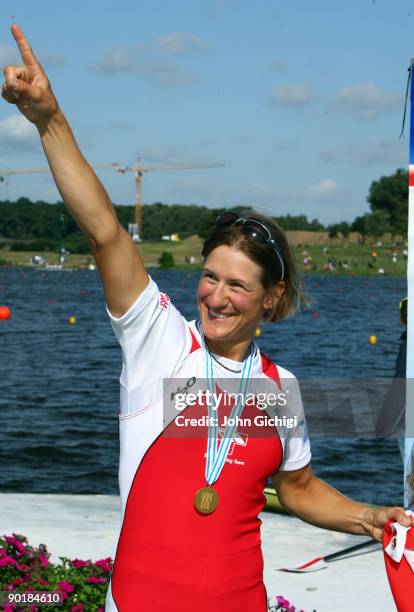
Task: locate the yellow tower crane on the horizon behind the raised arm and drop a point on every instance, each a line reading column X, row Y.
column 135, row 228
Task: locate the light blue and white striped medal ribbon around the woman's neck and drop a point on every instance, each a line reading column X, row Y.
column 216, row 457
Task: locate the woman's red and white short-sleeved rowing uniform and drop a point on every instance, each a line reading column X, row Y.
column 169, row 556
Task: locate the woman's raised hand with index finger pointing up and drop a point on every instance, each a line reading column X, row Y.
column 27, row 86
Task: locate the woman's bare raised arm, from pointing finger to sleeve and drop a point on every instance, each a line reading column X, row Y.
column 120, row 265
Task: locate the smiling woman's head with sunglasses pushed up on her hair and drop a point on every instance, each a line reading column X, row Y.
column 249, row 275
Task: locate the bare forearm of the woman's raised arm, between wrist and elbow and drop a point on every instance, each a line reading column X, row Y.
column 80, row 188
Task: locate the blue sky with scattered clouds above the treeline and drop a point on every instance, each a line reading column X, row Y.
column 302, row 101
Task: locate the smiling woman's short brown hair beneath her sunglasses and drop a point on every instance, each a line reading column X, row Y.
column 263, row 255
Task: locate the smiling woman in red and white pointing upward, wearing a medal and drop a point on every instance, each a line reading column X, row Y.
column 201, row 549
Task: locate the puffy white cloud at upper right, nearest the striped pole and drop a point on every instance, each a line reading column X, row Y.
column 365, row 100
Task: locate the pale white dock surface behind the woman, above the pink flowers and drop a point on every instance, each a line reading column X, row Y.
column 87, row 526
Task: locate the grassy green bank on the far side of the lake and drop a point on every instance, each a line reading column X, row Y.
column 358, row 257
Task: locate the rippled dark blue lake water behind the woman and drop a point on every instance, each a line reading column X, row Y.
column 59, row 382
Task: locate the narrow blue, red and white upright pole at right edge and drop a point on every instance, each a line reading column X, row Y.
column 409, row 406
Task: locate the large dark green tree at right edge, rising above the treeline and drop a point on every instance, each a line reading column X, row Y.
column 390, row 195
